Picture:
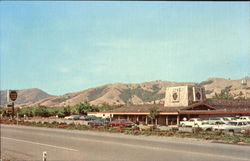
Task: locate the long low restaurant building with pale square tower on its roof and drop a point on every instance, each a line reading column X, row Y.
column 180, row 102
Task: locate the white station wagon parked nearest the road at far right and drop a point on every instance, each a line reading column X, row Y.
column 233, row 126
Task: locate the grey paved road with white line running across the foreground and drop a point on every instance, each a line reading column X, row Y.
column 28, row 143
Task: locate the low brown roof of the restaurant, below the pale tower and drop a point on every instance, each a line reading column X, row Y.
column 219, row 107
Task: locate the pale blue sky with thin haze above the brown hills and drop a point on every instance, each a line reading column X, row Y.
column 63, row 47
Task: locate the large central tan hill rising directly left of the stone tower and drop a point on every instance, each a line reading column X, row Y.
column 113, row 94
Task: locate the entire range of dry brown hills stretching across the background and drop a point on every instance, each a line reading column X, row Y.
column 119, row 93
